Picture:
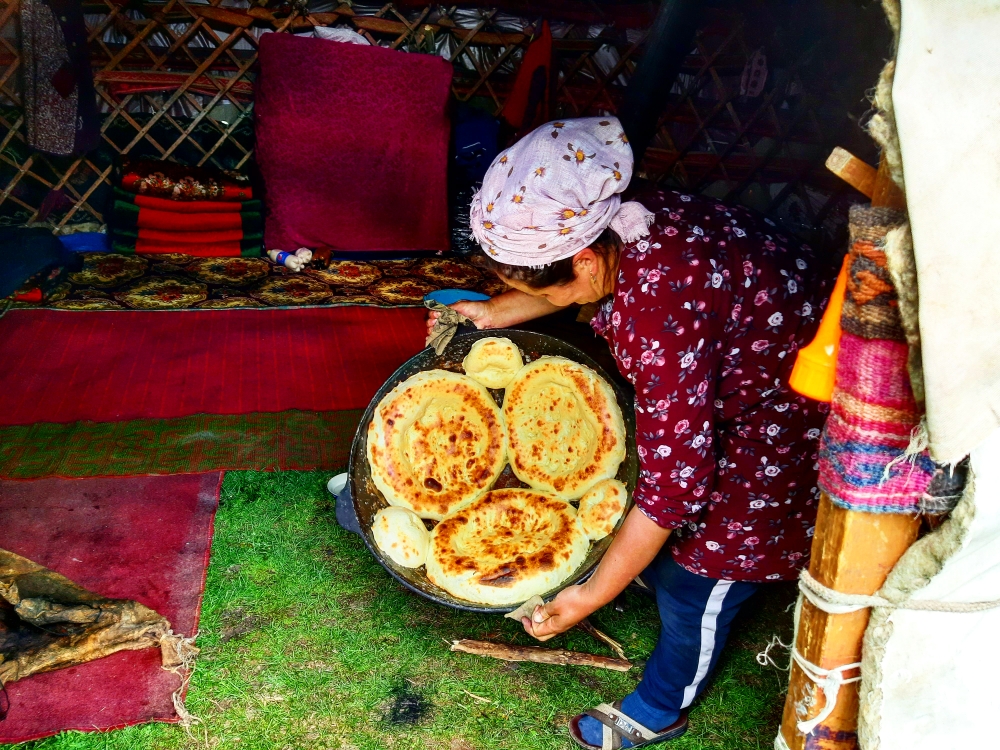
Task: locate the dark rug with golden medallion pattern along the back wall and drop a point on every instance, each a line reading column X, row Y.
column 172, row 281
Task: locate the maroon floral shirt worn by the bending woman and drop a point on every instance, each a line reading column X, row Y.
column 707, row 315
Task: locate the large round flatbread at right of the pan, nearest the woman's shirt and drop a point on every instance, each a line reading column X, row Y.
column 565, row 429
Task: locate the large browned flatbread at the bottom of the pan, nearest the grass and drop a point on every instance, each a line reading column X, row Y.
column 506, row 547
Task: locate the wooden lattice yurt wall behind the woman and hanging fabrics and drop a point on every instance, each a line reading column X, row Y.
column 175, row 81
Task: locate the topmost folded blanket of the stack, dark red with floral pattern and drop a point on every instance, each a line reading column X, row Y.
column 180, row 183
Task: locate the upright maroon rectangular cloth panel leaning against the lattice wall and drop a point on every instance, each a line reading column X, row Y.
column 352, row 142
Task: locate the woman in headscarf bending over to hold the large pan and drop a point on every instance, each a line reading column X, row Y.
column 704, row 309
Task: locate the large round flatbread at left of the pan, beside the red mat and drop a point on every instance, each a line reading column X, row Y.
column 437, row 441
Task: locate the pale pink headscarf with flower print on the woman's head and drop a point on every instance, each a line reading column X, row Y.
column 553, row 192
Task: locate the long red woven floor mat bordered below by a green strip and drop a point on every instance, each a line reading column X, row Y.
column 109, row 366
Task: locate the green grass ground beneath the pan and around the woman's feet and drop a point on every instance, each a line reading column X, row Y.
column 308, row 643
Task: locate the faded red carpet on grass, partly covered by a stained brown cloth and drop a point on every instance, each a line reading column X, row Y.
column 143, row 538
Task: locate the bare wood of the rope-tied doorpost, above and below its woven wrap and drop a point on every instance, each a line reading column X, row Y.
column 852, row 552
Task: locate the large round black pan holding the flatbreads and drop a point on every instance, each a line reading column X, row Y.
column 356, row 509
